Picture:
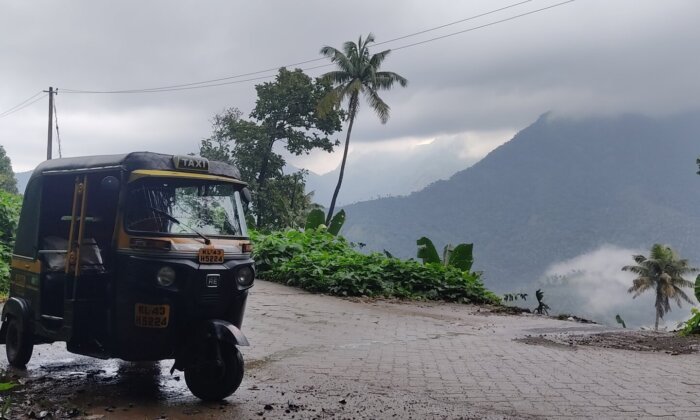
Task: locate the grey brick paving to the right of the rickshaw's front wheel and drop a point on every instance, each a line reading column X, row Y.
column 448, row 360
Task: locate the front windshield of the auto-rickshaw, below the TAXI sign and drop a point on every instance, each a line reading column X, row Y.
column 185, row 207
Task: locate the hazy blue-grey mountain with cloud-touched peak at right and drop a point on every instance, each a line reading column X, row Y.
column 561, row 188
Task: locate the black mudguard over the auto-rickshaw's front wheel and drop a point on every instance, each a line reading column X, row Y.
column 213, row 329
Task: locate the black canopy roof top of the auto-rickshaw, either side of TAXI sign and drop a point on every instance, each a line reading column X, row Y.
column 127, row 162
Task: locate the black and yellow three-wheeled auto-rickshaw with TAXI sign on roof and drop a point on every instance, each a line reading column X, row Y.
column 141, row 257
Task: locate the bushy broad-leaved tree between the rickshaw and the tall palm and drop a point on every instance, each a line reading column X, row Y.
column 285, row 114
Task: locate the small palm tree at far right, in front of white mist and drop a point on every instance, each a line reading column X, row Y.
column 662, row 272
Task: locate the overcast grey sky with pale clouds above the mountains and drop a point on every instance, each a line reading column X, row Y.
column 585, row 57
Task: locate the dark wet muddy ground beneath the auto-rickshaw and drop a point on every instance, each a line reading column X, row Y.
column 58, row 382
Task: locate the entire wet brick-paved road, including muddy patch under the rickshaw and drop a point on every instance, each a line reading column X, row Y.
column 315, row 356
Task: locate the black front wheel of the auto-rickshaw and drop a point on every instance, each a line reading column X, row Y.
column 218, row 383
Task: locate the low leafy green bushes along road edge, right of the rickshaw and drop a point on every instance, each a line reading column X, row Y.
column 320, row 262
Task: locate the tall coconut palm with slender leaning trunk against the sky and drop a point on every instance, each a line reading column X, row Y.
column 357, row 72
